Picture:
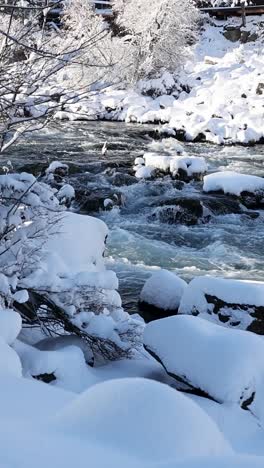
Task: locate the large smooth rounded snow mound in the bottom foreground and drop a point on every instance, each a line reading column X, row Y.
column 144, row 419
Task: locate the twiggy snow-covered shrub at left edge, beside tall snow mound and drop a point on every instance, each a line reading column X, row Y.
column 29, row 213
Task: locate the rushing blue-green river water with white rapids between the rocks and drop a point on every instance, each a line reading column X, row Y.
column 229, row 245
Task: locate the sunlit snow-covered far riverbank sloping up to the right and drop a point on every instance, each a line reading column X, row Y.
column 217, row 97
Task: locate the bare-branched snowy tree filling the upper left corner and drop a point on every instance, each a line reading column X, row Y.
column 43, row 67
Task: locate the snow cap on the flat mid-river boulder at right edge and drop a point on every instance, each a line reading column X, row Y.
column 232, row 183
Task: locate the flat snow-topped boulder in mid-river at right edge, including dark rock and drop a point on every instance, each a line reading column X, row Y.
column 249, row 189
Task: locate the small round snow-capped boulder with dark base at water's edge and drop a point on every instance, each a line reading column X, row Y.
column 161, row 294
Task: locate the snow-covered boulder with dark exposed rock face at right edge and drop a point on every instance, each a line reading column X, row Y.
column 233, row 303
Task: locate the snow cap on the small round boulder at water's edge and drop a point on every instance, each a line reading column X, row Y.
column 163, row 290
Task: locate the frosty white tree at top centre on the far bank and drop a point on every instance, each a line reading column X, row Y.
column 155, row 33
